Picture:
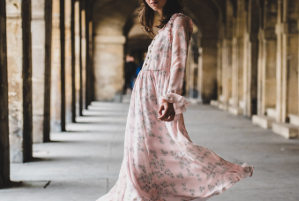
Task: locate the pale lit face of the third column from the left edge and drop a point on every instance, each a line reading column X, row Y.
column 38, row 70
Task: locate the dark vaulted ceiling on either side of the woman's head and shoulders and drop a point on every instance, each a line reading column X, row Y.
column 115, row 14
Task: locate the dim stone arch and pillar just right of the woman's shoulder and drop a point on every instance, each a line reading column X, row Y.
column 207, row 22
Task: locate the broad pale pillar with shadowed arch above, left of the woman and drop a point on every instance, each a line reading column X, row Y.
column 109, row 41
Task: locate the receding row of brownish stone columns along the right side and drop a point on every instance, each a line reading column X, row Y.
column 258, row 65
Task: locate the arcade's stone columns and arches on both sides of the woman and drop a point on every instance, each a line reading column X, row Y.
column 56, row 56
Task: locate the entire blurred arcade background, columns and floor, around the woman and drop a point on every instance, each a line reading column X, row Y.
column 67, row 68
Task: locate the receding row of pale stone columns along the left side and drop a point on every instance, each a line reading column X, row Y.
column 46, row 48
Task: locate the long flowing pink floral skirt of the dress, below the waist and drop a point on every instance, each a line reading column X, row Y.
column 160, row 161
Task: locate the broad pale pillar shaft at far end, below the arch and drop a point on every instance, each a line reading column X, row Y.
column 108, row 80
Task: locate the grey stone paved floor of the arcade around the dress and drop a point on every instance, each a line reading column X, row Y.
column 83, row 164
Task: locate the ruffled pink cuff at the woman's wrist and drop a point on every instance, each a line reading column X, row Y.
column 179, row 102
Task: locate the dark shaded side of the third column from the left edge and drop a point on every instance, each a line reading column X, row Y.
column 48, row 55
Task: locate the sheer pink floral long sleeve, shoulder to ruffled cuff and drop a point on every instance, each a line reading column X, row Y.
column 181, row 34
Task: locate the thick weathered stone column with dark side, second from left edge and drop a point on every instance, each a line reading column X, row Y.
column 20, row 82
